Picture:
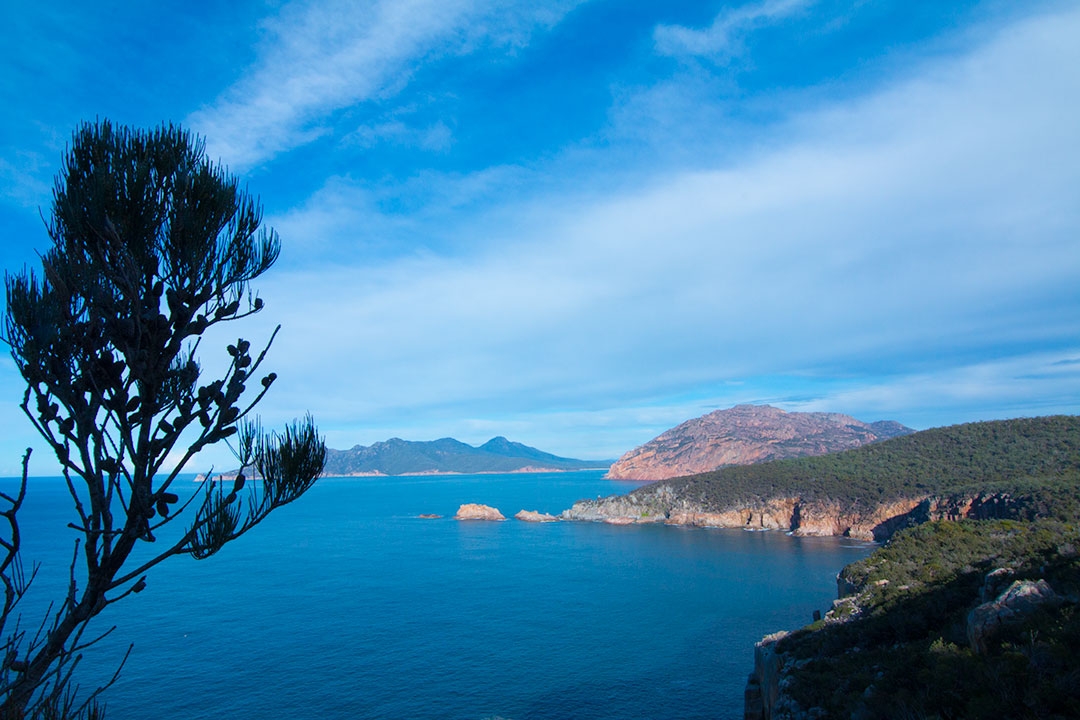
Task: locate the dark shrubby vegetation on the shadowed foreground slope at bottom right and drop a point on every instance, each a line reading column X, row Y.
column 904, row 650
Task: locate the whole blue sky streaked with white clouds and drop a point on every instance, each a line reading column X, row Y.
column 580, row 223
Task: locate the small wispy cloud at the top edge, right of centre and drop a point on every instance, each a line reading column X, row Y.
column 723, row 39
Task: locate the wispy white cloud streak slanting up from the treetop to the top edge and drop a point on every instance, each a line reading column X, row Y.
column 320, row 58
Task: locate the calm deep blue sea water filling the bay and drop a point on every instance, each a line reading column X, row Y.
column 346, row 605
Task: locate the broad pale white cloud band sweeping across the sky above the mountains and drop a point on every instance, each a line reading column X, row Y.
column 930, row 222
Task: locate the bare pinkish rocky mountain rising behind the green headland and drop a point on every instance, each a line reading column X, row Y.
column 748, row 434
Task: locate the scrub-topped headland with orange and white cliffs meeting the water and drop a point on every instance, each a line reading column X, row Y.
column 1010, row 470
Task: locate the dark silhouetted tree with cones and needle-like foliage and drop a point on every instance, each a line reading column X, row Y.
column 152, row 247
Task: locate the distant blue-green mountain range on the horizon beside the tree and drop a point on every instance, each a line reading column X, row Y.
column 398, row 457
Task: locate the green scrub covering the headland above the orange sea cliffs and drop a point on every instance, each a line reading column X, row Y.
column 1038, row 458
